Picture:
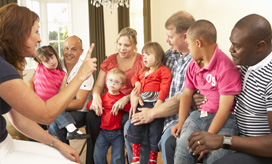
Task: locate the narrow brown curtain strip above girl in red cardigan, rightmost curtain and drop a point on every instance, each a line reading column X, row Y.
column 147, row 21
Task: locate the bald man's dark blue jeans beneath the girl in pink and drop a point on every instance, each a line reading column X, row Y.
column 54, row 129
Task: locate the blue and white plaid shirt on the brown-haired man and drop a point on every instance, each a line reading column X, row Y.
column 177, row 63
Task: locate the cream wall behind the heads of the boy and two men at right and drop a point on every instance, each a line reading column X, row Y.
column 223, row 14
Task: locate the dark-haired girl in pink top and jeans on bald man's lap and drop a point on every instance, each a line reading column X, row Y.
column 48, row 80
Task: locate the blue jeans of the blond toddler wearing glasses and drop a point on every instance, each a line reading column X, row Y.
column 105, row 139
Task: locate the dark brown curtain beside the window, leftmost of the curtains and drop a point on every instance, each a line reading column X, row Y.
column 97, row 36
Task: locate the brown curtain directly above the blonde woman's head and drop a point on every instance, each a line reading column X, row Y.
column 123, row 17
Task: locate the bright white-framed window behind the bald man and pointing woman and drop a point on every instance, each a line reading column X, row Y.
column 55, row 22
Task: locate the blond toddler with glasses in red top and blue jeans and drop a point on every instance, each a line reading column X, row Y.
column 111, row 129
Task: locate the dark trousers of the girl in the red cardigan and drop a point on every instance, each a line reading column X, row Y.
column 136, row 134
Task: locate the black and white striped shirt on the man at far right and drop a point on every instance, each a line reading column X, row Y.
column 255, row 99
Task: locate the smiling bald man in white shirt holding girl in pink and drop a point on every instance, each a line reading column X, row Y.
column 72, row 50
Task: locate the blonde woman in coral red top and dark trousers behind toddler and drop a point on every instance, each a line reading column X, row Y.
column 128, row 60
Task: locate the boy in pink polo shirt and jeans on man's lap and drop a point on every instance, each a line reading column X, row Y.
column 216, row 77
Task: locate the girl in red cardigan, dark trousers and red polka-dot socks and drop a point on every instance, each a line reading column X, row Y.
column 153, row 85
